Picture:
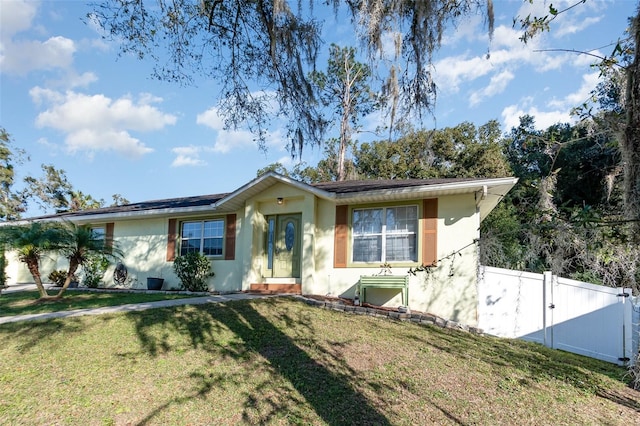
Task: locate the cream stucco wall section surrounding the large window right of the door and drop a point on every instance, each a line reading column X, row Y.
column 449, row 290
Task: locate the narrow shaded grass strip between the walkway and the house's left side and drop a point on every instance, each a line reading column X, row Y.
column 25, row 302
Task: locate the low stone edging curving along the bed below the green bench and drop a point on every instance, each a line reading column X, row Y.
column 416, row 317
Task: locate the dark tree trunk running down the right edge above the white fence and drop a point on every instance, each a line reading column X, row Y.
column 630, row 144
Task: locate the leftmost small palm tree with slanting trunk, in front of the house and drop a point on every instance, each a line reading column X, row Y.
column 30, row 242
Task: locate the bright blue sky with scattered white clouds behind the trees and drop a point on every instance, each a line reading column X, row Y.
column 68, row 99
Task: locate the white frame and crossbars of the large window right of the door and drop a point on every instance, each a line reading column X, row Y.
column 384, row 233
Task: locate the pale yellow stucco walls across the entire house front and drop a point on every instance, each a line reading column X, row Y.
column 449, row 290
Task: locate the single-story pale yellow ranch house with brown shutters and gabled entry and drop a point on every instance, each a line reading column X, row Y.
column 279, row 234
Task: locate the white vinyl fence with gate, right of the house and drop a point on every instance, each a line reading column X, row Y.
column 560, row 313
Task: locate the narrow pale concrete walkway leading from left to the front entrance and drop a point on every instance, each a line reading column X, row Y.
column 134, row 307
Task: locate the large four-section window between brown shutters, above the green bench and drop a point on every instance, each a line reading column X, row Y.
column 385, row 234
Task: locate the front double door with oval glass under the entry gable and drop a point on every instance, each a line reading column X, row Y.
column 283, row 246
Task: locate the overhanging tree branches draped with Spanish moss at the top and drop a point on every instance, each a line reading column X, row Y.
column 261, row 51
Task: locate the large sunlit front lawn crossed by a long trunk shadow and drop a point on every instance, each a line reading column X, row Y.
column 280, row 361
